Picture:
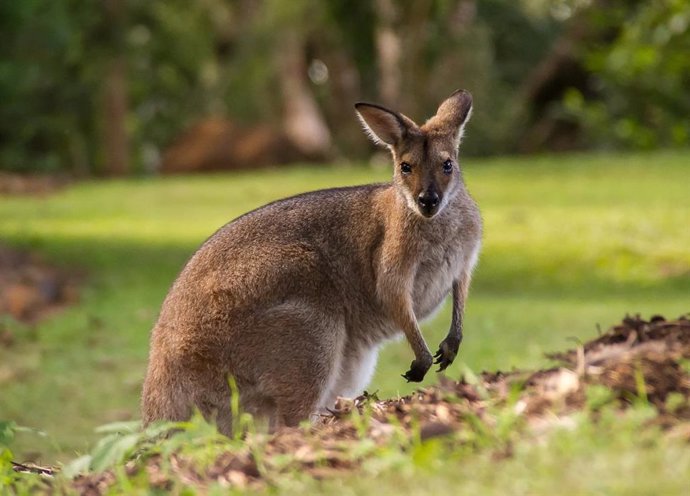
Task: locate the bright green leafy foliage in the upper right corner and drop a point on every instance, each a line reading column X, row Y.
column 641, row 77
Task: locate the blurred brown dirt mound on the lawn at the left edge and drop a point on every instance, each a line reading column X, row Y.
column 30, row 288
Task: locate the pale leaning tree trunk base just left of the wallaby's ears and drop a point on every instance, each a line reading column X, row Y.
column 303, row 123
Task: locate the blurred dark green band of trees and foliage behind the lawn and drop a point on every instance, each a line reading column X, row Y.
column 545, row 74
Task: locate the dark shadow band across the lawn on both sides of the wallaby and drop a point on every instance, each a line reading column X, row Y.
column 127, row 266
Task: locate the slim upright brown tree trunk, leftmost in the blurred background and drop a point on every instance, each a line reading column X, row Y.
column 115, row 138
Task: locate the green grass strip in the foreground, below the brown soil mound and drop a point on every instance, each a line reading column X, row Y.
column 599, row 450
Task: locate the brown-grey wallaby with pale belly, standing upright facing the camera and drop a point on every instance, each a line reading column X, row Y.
column 294, row 299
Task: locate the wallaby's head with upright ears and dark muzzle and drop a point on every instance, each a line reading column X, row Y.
column 427, row 172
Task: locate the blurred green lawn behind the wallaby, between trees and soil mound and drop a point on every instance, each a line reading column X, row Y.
column 570, row 241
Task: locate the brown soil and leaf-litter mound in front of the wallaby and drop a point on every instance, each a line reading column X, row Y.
column 634, row 360
